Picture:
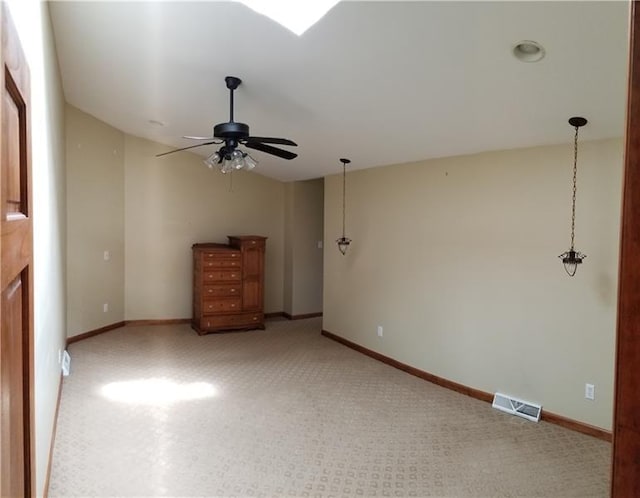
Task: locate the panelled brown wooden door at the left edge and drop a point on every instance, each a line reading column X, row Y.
column 16, row 271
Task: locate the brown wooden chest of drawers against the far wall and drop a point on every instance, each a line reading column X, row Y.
column 228, row 285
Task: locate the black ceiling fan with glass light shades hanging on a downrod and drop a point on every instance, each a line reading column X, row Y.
column 232, row 134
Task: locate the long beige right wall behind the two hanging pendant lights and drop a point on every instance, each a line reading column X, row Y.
column 457, row 259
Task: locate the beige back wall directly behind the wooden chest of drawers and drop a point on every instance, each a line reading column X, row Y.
column 175, row 201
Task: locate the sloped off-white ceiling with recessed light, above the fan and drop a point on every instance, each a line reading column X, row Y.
column 377, row 82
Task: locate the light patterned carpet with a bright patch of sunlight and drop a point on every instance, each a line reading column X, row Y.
column 161, row 411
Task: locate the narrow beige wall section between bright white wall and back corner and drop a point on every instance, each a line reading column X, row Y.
column 95, row 216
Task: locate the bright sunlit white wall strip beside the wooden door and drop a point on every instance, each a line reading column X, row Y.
column 47, row 127
